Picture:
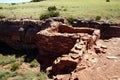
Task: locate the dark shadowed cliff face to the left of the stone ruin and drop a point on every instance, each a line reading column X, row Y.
column 19, row 34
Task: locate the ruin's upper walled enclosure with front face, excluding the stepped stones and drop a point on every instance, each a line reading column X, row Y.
column 60, row 39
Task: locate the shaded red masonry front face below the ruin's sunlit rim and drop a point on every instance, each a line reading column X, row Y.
column 59, row 44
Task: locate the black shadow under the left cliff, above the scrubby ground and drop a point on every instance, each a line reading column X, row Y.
column 29, row 54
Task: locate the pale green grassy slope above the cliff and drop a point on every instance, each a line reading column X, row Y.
column 87, row 9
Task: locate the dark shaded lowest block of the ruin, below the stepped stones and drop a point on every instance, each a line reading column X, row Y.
column 64, row 65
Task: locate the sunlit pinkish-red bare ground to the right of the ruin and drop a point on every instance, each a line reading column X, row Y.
column 99, row 66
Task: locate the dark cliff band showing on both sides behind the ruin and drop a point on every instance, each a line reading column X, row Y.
column 20, row 34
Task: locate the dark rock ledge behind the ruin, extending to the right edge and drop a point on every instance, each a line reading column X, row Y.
column 108, row 30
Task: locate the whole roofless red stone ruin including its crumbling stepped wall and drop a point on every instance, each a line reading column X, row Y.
column 61, row 39
